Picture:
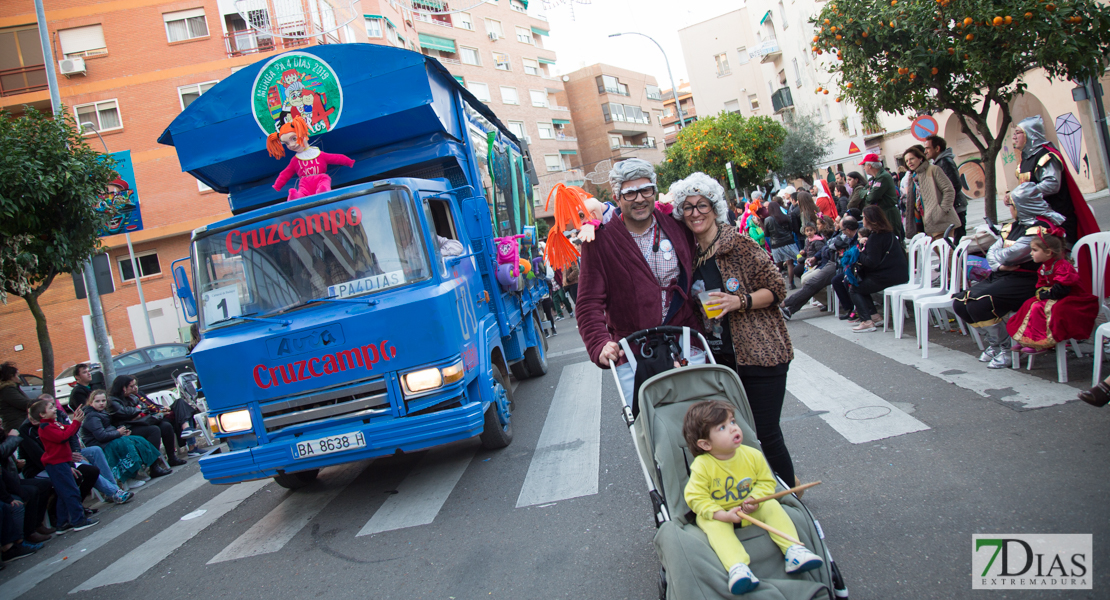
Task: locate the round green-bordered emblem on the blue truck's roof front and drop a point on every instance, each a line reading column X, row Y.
column 297, row 85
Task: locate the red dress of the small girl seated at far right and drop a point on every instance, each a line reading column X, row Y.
column 1068, row 311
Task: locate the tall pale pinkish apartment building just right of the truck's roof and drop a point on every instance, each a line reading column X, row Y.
column 497, row 50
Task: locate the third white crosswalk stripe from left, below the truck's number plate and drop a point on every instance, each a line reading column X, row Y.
column 282, row 524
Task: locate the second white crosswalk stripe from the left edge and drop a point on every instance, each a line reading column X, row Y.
column 136, row 563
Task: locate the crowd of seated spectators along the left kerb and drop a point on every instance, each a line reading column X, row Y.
column 54, row 455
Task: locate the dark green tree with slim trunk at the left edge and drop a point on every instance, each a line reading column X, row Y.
column 49, row 184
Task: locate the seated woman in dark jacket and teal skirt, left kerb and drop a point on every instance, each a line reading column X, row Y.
column 127, row 454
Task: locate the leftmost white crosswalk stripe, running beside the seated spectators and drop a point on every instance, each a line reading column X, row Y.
column 98, row 537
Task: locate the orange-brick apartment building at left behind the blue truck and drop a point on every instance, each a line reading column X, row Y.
column 128, row 69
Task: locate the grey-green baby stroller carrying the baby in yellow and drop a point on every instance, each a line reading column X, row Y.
column 690, row 568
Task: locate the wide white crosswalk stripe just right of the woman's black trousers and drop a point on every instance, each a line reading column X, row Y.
column 855, row 413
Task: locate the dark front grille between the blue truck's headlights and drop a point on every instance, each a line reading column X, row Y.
column 365, row 398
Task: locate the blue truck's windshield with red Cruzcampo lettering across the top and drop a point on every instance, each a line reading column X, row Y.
column 351, row 248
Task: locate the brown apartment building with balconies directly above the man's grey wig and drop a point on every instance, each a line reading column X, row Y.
column 618, row 113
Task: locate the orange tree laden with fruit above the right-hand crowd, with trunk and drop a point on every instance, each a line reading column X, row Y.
column 964, row 56
